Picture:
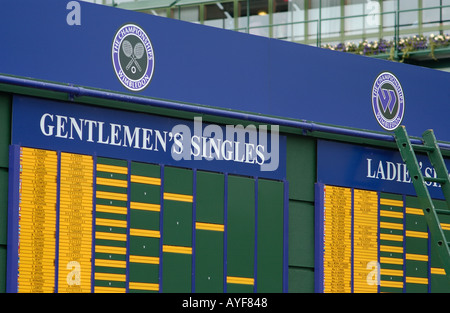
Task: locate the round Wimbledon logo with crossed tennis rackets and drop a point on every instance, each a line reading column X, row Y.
column 132, row 57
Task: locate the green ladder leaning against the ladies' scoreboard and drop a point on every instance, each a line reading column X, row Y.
column 430, row 146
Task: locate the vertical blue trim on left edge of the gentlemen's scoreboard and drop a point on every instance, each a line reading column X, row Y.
column 12, row 271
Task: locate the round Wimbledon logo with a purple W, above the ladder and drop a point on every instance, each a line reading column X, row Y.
column 388, row 101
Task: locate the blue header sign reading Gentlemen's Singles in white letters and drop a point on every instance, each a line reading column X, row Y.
column 246, row 150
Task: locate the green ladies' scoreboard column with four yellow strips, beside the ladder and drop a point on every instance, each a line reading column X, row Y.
column 416, row 247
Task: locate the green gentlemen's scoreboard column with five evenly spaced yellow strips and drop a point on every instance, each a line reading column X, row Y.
column 144, row 242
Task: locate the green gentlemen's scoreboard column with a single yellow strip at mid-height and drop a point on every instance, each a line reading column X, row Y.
column 209, row 232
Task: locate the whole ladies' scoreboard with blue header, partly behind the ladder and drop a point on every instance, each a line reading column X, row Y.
column 372, row 236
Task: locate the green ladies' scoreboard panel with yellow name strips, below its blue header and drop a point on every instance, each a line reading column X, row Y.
column 369, row 242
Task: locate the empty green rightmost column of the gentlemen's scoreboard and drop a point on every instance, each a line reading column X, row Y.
column 270, row 236
